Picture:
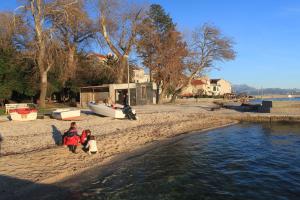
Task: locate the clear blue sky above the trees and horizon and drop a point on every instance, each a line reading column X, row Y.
column 266, row 35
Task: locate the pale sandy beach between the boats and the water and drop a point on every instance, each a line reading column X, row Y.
column 31, row 152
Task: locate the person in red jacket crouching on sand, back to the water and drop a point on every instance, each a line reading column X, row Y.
column 71, row 139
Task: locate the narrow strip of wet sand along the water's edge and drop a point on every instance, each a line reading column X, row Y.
column 73, row 180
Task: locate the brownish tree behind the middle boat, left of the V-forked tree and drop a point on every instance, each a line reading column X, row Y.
column 73, row 27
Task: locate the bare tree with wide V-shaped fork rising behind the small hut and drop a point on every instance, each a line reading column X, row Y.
column 119, row 21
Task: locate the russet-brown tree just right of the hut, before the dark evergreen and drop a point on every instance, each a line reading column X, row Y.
column 164, row 56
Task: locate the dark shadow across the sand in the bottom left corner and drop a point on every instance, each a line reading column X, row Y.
column 32, row 191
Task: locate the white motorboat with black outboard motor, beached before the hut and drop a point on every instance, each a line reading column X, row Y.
column 117, row 111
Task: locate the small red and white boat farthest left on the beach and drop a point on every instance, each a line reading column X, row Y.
column 23, row 114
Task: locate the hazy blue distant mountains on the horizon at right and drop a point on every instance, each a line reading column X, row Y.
column 243, row 88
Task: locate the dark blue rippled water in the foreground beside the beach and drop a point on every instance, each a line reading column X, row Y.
column 245, row 161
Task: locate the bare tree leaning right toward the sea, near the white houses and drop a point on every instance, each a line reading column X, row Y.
column 208, row 46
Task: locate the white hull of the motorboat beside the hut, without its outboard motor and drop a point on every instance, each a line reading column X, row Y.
column 103, row 109
